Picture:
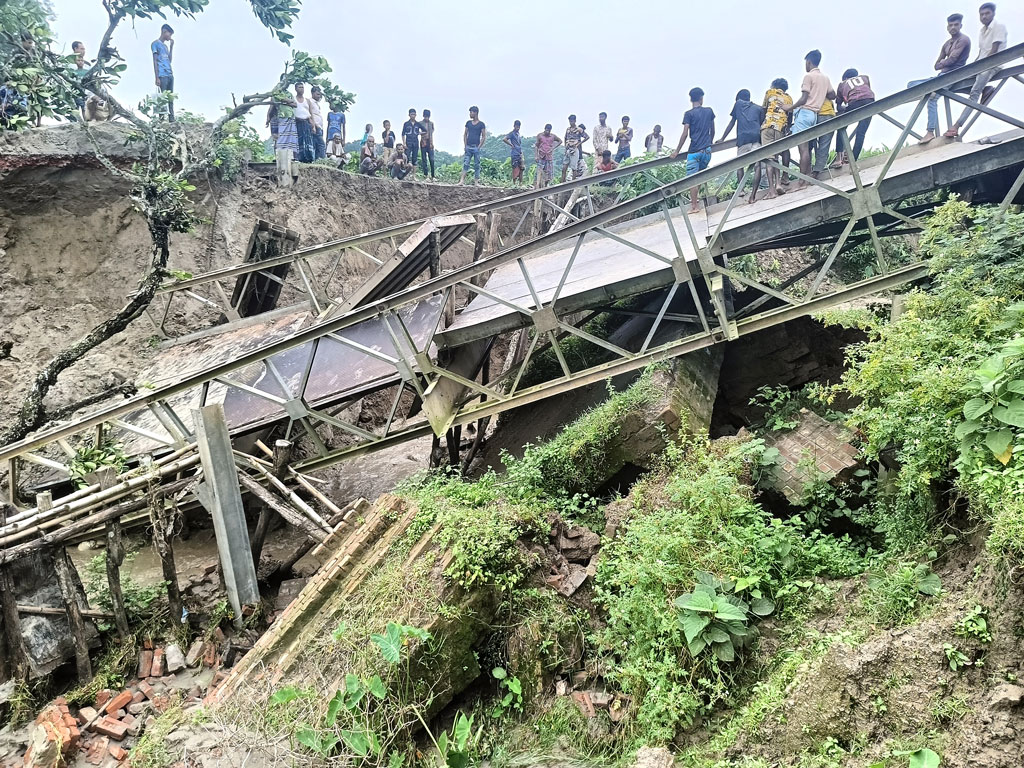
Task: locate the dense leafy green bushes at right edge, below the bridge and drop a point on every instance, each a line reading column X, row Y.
column 937, row 388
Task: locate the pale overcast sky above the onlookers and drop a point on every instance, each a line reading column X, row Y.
column 538, row 61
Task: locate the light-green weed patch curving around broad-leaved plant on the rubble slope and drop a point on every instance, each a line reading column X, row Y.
column 696, row 515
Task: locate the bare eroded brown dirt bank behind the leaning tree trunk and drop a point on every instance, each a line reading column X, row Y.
column 72, row 248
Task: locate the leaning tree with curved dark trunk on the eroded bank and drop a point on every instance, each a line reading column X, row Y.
column 175, row 153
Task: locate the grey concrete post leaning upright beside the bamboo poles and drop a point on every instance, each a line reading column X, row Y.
column 220, row 494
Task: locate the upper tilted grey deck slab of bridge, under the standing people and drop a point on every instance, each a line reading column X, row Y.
column 606, row 270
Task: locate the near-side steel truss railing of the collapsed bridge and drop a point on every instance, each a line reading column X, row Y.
column 693, row 268
